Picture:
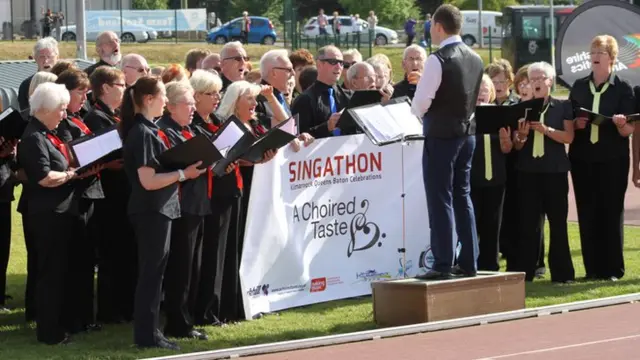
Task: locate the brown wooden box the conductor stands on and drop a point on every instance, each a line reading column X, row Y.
column 412, row 301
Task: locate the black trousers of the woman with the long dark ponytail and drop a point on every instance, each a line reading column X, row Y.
column 153, row 235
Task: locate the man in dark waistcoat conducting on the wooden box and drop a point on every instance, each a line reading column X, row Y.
column 445, row 98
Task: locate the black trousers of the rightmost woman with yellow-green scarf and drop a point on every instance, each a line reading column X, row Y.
column 600, row 188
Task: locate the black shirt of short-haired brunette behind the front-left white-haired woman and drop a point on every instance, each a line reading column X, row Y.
column 114, row 182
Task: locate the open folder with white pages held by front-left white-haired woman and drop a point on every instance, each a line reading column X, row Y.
column 96, row 148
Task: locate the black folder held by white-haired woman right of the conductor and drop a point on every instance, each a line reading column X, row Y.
column 491, row 118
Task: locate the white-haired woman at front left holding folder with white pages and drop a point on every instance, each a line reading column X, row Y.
column 52, row 207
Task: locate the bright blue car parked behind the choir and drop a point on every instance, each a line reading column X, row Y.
column 261, row 32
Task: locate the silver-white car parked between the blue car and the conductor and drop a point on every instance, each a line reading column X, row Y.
column 383, row 35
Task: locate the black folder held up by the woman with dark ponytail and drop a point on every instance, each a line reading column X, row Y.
column 198, row 148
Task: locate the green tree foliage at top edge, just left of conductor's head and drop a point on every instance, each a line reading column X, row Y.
column 390, row 13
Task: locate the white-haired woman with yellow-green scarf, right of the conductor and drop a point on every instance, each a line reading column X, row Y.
column 543, row 185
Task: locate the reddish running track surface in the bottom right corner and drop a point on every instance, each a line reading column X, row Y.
column 605, row 333
